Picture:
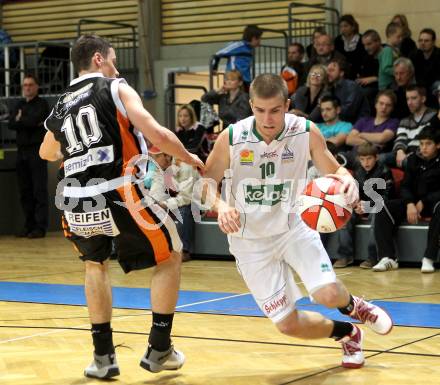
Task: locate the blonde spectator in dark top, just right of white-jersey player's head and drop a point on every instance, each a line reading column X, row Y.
column 305, row 101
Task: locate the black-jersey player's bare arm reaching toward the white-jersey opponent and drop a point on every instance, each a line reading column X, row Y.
column 160, row 136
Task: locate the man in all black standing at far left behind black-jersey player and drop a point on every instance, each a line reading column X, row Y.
column 27, row 118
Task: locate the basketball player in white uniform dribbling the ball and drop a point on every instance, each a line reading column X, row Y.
column 265, row 159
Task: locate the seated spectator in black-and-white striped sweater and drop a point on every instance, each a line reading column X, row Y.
column 406, row 141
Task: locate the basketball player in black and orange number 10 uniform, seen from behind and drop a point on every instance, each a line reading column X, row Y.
column 98, row 127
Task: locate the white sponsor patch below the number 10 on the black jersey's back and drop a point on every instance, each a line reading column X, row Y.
column 93, row 157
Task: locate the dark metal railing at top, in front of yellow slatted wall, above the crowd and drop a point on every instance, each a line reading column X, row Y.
column 304, row 18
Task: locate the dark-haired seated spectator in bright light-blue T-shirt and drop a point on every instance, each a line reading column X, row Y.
column 334, row 130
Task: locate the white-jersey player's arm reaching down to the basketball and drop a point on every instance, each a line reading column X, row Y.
column 327, row 165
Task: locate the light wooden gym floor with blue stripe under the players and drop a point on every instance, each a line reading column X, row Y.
column 51, row 344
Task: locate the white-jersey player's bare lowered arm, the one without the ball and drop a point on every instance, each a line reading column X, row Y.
column 217, row 163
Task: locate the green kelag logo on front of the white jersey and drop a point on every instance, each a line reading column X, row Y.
column 267, row 194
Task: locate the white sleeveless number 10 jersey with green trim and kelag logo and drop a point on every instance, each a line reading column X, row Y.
column 264, row 180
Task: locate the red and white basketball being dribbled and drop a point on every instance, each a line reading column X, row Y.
column 322, row 207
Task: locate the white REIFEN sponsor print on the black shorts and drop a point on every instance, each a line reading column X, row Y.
column 92, row 223
